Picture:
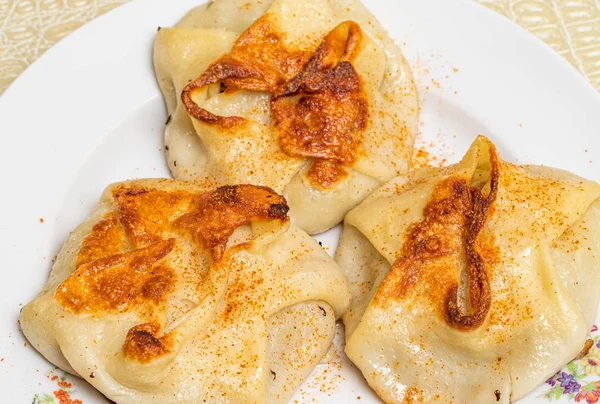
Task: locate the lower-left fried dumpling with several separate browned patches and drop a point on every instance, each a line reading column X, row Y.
column 170, row 293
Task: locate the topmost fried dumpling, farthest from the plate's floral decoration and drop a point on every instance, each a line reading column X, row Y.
column 310, row 98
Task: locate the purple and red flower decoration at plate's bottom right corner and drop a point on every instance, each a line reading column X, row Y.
column 580, row 380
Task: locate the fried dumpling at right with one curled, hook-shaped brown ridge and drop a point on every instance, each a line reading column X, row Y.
column 472, row 283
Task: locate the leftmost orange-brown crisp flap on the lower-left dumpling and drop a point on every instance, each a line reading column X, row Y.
column 118, row 282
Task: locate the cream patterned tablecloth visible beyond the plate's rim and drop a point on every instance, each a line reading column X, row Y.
column 29, row 27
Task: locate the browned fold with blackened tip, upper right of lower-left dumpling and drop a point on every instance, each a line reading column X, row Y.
column 220, row 212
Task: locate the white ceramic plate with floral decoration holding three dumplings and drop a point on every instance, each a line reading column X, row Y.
column 89, row 113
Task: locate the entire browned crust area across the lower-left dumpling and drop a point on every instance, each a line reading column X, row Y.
column 108, row 278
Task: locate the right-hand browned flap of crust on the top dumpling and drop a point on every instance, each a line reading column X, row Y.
column 322, row 112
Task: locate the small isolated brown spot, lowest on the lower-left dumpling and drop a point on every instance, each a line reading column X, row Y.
column 142, row 344
